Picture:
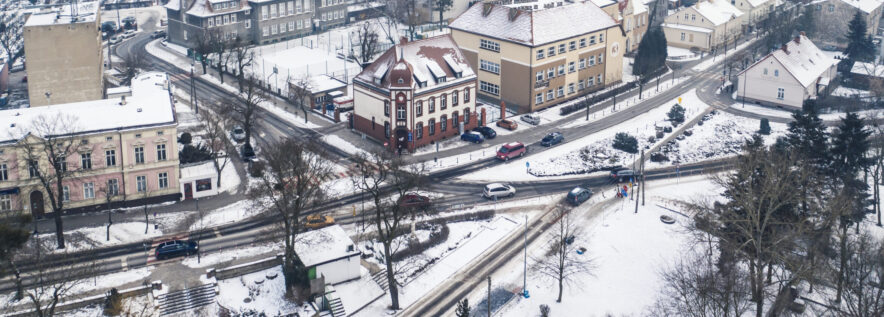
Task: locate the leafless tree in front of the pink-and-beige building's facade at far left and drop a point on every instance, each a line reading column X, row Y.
column 45, row 147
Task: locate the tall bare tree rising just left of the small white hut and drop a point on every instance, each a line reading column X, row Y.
column 289, row 184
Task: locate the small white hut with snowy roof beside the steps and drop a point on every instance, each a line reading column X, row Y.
column 329, row 255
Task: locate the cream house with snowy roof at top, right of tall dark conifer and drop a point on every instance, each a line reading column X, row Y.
column 707, row 25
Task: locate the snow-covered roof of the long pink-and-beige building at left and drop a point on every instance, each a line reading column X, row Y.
column 150, row 105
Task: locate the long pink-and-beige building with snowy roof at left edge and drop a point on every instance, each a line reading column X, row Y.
column 129, row 150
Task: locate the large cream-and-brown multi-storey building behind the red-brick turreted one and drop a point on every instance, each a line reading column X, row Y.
column 535, row 59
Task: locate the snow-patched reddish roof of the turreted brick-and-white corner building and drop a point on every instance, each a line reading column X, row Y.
column 426, row 60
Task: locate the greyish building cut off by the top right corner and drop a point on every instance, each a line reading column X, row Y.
column 833, row 16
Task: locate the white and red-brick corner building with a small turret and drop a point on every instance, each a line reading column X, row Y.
column 416, row 93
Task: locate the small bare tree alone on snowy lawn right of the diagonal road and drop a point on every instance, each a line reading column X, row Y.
column 561, row 261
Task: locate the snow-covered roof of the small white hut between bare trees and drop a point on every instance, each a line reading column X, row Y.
column 327, row 244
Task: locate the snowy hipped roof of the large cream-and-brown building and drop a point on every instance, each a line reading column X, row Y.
column 536, row 27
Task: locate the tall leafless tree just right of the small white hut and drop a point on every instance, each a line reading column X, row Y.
column 380, row 174
